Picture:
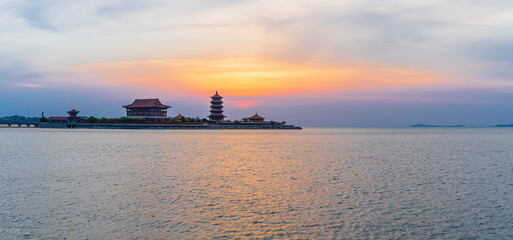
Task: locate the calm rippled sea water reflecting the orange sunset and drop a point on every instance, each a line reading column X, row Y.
column 435, row 183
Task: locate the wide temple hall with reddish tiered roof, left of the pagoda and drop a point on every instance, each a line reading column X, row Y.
column 147, row 108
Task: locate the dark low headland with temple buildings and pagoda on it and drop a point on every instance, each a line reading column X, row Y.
column 153, row 114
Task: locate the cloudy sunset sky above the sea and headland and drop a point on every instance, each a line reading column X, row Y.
column 361, row 63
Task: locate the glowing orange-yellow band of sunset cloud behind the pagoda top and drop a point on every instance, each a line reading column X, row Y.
column 249, row 77
